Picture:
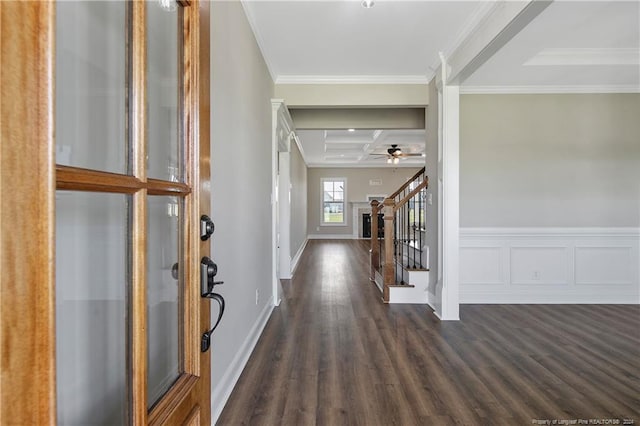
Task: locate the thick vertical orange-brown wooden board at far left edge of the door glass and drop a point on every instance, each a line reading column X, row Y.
column 27, row 304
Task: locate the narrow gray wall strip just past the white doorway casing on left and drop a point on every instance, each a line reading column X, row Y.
column 298, row 233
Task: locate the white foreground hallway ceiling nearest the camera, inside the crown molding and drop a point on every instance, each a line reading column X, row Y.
column 301, row 39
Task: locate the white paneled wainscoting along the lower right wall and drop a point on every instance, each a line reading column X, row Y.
column 550, row 265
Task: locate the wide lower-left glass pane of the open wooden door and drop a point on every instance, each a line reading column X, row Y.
column 91, row 308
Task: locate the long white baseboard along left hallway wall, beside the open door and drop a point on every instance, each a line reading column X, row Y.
column 220, row 394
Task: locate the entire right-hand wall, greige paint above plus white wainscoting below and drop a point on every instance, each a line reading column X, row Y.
column 550, row 198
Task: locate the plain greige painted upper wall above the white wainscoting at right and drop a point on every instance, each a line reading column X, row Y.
column 550, row 160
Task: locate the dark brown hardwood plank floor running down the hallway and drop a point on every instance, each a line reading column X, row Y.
column 333, row 354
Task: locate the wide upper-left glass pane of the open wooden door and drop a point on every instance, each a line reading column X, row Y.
column 91, row 87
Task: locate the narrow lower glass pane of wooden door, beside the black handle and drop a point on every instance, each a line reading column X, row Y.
column 163, row 294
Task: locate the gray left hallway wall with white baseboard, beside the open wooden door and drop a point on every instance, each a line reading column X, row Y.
column 241, row 91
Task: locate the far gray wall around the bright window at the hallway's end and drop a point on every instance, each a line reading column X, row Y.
column 357, row 189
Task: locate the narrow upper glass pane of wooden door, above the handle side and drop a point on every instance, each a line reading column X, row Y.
column 164, row 96
